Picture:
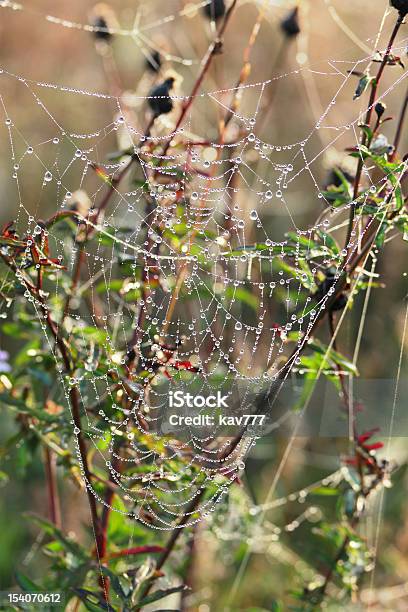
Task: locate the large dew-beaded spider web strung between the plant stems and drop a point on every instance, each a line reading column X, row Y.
column 182, row 223
